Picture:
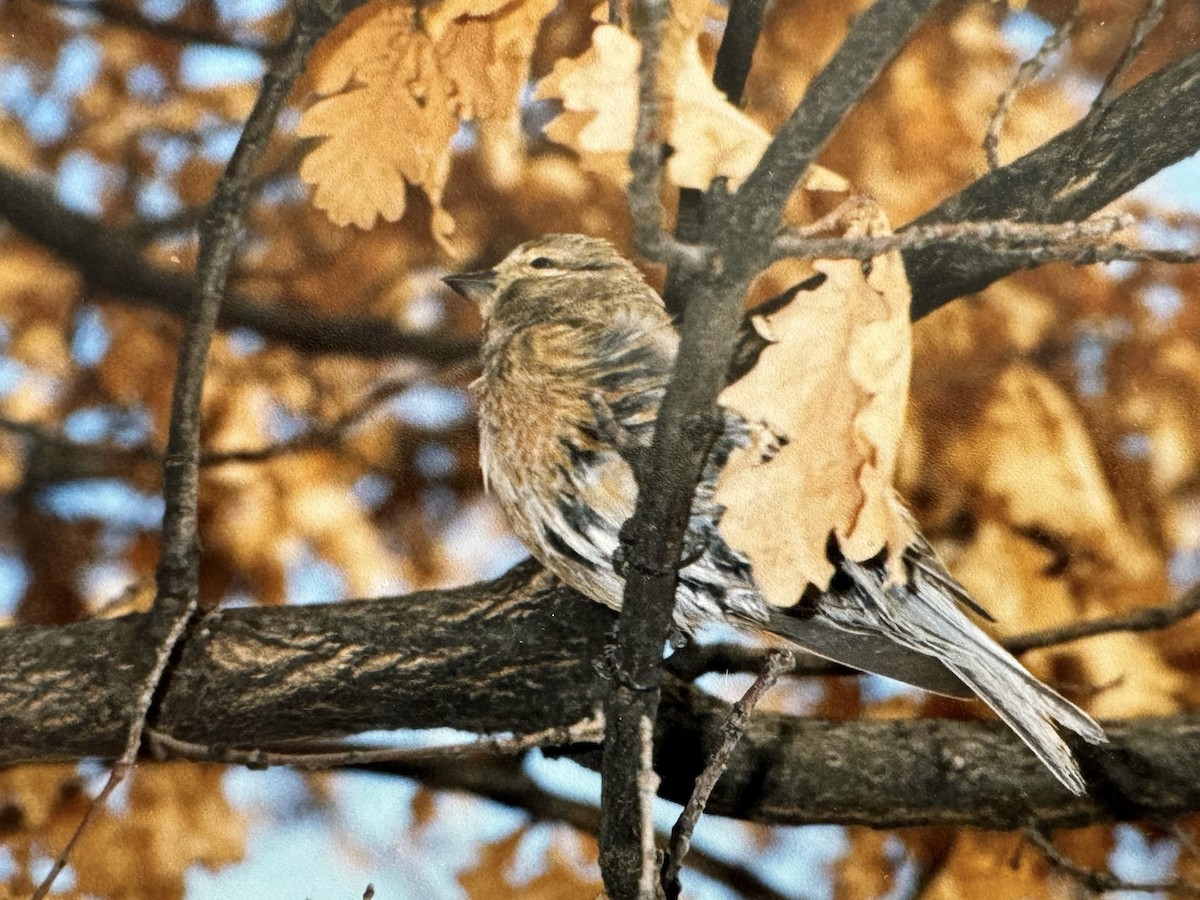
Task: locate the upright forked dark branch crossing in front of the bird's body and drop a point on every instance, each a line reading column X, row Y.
column 743, row 229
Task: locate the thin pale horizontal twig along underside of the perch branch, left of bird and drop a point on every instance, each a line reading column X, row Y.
column 587, row 731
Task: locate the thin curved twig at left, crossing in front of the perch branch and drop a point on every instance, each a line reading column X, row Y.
column 179, row 565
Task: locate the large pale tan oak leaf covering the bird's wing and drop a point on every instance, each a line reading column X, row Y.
column 835, row 385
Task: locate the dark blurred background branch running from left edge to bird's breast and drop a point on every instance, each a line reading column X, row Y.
column 113, row 263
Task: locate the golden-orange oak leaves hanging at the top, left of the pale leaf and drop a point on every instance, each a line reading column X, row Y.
column 395, row 88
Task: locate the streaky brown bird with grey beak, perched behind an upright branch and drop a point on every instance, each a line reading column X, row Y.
column 577, row 355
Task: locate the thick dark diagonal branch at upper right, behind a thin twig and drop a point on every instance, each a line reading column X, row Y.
column 1067, row 179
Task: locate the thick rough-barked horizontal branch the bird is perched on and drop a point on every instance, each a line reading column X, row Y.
column 519, row 655
